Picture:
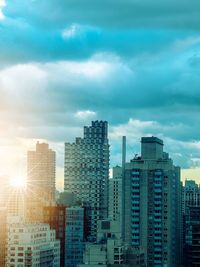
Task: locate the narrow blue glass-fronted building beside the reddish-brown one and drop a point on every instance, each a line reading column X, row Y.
column 74, row 236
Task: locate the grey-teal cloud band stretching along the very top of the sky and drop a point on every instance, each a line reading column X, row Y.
column 124, row 14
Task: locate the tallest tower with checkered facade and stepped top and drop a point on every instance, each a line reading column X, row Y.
column 87, row 172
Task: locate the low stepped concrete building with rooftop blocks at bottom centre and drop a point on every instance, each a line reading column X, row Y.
column 109, row 250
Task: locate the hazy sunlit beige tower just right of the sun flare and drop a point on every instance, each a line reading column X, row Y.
column 41, row 168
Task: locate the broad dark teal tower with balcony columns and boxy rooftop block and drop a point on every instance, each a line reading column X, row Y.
column 153, row 204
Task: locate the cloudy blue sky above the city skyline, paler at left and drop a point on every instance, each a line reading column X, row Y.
column 134, row 63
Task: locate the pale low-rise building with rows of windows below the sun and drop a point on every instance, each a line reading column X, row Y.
column 32, row 245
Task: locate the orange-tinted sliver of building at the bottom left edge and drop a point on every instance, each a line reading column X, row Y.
column 3, row 236
